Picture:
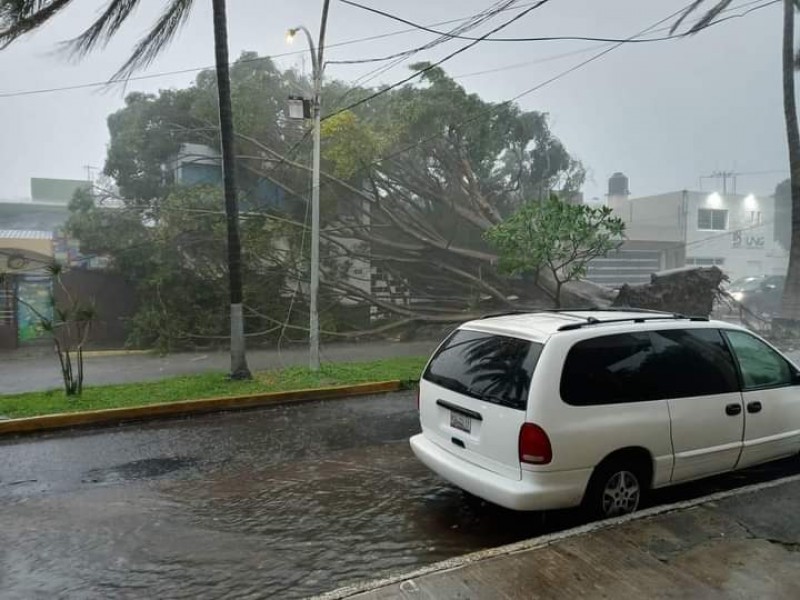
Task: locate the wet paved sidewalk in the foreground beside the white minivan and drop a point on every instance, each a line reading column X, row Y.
column 740, row 544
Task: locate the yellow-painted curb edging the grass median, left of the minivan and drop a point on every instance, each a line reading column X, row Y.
column 114, row 416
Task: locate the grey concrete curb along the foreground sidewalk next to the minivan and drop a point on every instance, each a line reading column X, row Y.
column 541, row 541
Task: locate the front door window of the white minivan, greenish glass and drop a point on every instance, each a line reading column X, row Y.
column 761, row 366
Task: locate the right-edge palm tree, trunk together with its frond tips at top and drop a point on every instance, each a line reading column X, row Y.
column 790, row 62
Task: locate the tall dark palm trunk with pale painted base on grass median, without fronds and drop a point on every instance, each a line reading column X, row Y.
column 239, row 368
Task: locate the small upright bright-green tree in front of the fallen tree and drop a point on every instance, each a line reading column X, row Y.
column 559, row 237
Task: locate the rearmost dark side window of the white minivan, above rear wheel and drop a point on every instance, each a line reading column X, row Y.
column 607, row 370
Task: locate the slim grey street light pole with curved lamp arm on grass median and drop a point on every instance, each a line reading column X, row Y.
column 318, row 66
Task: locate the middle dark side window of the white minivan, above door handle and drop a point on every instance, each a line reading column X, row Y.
column 692, row 362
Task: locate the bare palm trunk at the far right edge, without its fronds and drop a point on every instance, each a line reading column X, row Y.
column 791, row 294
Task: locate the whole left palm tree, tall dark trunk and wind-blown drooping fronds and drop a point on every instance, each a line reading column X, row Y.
column 18, row 17
